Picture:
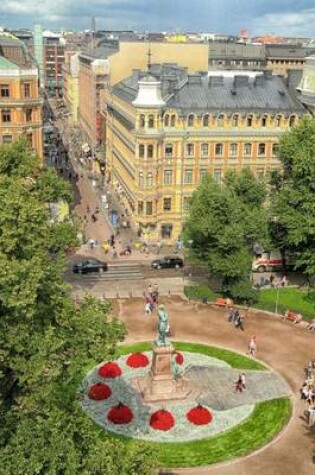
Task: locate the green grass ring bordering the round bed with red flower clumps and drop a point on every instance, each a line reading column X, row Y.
column 261, row 427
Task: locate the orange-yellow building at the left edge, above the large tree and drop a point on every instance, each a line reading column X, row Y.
column 20, row 104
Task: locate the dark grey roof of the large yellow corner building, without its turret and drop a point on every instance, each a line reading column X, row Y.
column 198, row 93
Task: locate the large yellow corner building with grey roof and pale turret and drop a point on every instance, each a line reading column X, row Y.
column 167, row 129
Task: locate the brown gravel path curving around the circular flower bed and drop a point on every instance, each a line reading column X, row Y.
column 281, row 345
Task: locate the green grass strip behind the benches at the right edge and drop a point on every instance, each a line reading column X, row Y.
column 288, row 298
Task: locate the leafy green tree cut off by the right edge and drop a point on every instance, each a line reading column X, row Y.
column 293, row 196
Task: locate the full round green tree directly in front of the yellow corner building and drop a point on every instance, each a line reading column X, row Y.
column 223, row 223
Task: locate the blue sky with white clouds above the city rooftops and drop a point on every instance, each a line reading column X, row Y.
column 258, row 17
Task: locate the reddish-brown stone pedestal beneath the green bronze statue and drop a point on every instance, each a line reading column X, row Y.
column 160, row 384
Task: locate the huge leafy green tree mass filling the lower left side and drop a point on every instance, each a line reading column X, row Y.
column 48, row 341
